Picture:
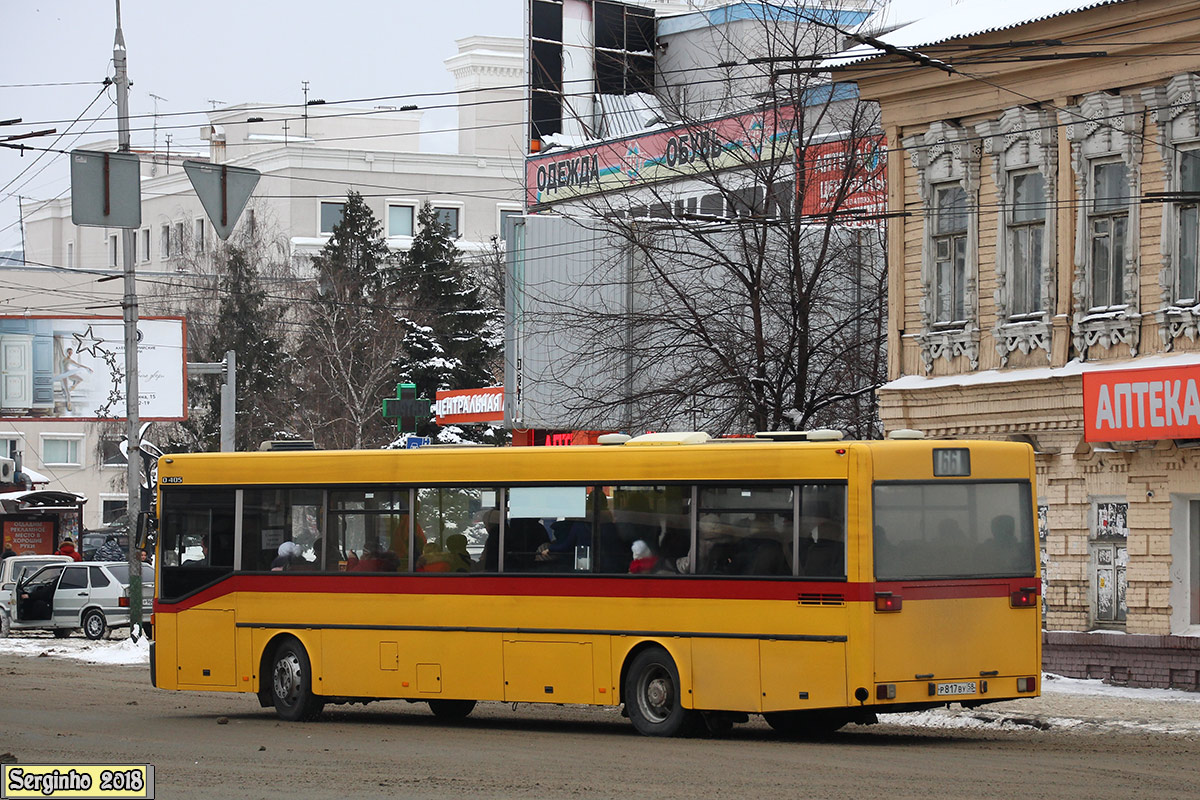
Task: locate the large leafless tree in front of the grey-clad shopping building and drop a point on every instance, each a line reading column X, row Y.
column 758, row 305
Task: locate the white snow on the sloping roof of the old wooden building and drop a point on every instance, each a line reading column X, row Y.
column 931, row 22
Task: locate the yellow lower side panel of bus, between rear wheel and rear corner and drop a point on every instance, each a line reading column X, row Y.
column 803, row 675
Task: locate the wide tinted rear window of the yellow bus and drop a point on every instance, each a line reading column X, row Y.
column 953, row 531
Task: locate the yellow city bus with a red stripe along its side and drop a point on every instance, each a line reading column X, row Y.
column 693, row 582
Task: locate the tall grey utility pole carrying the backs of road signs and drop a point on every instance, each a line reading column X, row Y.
column 130, row 314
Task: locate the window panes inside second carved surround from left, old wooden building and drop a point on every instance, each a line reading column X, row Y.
column 1027, row 240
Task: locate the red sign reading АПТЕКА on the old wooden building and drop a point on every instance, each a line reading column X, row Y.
column 1142, row 405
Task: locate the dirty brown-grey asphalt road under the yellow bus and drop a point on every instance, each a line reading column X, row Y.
column 203, row 745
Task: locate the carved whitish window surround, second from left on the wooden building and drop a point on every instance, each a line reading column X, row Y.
column 1023, row 139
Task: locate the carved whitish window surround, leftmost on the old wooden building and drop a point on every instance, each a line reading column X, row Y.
column 949, row 154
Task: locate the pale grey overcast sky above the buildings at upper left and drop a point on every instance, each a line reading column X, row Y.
column 226, row 51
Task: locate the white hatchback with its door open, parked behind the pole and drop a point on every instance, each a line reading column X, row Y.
column 89, row 596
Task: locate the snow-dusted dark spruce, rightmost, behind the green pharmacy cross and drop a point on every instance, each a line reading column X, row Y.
column 453, row 339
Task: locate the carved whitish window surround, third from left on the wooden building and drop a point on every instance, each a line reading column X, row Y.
column 1106, row 127
